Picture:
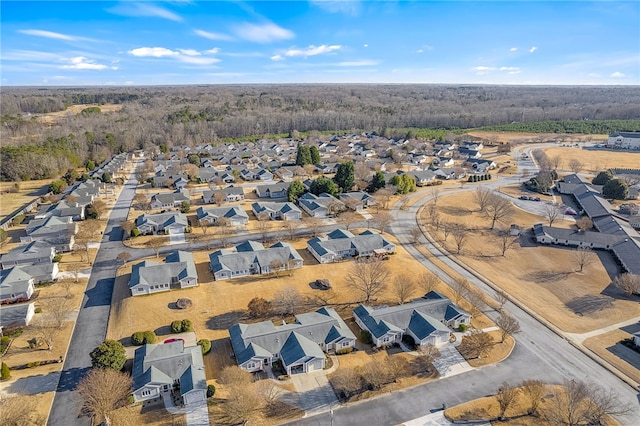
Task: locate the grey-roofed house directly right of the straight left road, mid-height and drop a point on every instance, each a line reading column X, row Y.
column 177, row 271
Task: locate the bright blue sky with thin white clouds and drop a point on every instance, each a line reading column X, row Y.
column 213, row 42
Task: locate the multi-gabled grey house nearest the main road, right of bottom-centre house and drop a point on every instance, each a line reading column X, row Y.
column 426, row 320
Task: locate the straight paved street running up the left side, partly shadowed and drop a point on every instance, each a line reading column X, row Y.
column 91, row 325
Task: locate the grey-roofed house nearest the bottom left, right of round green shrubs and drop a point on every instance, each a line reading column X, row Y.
column 162, row 369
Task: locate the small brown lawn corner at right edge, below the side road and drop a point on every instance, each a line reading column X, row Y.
column 607, row 347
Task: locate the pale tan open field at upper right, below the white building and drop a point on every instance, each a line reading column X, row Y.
column 594, row 160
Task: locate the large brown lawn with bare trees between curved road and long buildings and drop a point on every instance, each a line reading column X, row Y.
column 542, row 277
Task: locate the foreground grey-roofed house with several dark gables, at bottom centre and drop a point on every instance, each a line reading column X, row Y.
column 300, row 345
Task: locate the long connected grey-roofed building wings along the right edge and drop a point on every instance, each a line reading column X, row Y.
column 613, row 232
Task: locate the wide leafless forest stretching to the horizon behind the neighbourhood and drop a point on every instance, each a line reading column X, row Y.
column 193, row 115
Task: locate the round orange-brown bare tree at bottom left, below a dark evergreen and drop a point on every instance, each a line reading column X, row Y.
column 104, row 390
